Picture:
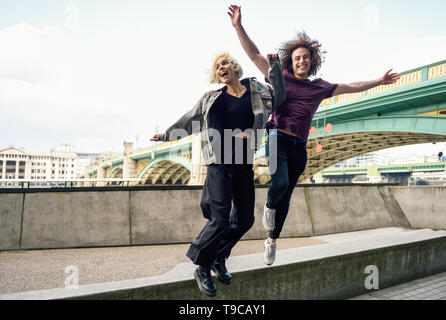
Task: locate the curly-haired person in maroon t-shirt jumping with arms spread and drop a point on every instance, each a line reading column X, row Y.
column 300, row 58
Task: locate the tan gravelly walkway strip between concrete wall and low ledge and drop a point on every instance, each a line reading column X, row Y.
column 26, row 270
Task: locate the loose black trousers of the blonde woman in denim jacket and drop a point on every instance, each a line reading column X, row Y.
column 225, row 184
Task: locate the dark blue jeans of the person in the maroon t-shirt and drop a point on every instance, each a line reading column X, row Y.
column 289, row 165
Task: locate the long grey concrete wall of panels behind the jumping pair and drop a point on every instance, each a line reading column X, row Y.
column 153, row 216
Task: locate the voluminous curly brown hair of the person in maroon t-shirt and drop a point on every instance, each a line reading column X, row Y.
column 287, row 48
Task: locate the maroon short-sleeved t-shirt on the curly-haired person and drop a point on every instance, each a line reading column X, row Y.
column 303, row 99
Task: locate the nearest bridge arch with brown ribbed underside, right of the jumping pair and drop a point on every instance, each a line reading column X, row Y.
column 353, row 138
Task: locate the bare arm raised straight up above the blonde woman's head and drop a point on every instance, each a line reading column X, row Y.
column 248, row 45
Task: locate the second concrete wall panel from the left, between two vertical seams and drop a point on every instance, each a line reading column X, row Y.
column 75, row 219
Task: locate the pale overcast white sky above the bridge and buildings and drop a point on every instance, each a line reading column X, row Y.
column 96, row 73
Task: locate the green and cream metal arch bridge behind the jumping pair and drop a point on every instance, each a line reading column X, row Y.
column 411, row 111
